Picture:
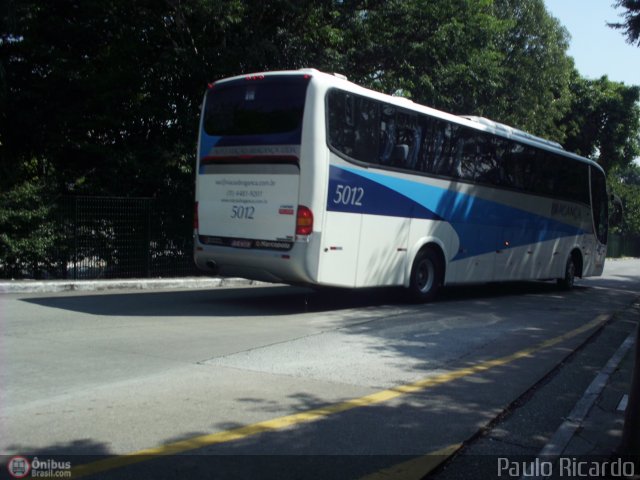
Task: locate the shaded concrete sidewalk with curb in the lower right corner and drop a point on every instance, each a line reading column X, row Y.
column 560, row 428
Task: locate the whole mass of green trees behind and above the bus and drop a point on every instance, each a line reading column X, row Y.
column 102, row 97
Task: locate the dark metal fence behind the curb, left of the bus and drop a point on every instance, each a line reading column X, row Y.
column 106, row 237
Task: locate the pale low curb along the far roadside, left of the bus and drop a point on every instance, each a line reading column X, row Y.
column 54, row 286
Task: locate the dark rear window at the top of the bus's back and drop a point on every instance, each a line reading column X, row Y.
column 265, row 106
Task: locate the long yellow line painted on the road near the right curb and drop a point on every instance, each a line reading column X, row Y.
column 323, row 412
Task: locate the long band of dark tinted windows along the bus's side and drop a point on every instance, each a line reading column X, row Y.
column 375, row 132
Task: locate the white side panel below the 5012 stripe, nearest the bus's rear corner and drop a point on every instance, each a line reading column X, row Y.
column 339, row 250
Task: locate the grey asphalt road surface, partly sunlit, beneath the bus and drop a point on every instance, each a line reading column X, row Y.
column 276, row 370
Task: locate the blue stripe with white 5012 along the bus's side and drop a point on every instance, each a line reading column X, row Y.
column 481, row 225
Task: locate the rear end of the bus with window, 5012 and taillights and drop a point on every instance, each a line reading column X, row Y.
column 248, row 218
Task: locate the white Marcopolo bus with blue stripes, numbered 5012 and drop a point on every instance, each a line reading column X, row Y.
column 306, row 178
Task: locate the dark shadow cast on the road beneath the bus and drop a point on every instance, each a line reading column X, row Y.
column 271, row 300
